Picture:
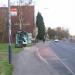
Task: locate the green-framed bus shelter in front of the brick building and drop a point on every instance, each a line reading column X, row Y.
column 21, row 39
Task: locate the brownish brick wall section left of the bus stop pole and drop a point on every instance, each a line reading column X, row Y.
column 3, row 23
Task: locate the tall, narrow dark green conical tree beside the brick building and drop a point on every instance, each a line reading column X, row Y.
column 41, row 26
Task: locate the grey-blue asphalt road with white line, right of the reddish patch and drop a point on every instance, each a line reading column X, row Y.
column 65, row 51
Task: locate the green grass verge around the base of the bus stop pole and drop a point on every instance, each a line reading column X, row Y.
column 5, row 67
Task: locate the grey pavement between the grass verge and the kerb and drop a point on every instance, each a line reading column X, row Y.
column 27, row 63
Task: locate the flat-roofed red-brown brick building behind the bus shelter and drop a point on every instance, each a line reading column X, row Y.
column 27, row 21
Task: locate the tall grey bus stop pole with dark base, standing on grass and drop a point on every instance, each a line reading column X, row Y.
column 9, row 35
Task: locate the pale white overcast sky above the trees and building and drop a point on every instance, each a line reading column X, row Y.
column 56, row 13
